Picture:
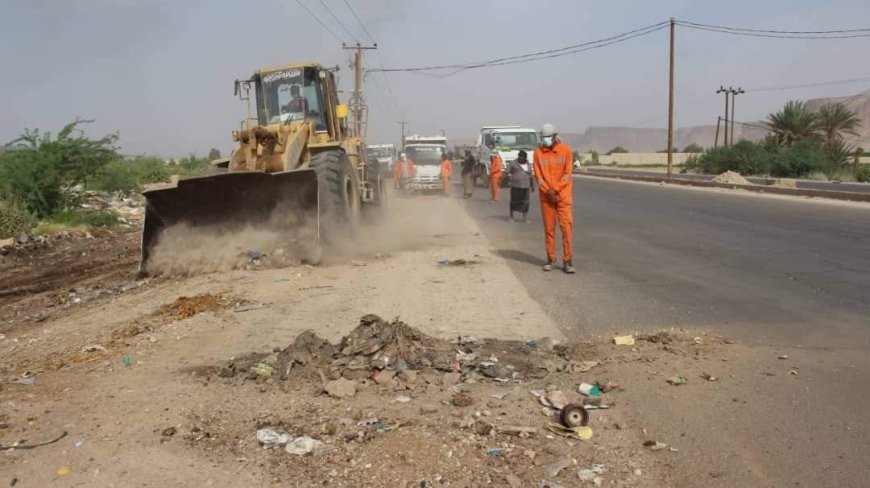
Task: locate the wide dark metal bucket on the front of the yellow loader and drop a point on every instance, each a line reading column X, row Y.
column 230, row 202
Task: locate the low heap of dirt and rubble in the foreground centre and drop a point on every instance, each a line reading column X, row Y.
column 384, row 351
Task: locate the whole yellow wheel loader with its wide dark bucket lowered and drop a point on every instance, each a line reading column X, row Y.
column 297, row 165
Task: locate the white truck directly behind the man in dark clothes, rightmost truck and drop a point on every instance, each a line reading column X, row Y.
column 507, row 141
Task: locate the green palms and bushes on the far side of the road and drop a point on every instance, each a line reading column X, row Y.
column 801, row 144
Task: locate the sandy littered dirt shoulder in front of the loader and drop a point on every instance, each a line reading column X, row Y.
column 138, row 379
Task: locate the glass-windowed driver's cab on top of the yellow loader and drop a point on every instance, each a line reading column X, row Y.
column 299, row 92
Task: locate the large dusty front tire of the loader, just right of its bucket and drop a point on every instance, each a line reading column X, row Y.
column 338, row 185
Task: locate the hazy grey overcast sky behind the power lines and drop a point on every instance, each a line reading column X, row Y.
column 160, row 72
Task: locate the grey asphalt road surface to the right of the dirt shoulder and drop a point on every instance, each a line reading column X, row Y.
column 779, row 274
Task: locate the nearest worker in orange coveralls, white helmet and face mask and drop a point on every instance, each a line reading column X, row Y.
column 554, row 167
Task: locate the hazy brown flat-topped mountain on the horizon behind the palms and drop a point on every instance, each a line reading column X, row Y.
column 637, row 139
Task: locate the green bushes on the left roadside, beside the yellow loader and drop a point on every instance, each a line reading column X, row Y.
column 48, row 178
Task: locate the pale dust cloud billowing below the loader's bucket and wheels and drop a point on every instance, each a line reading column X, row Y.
column 407, row 223
